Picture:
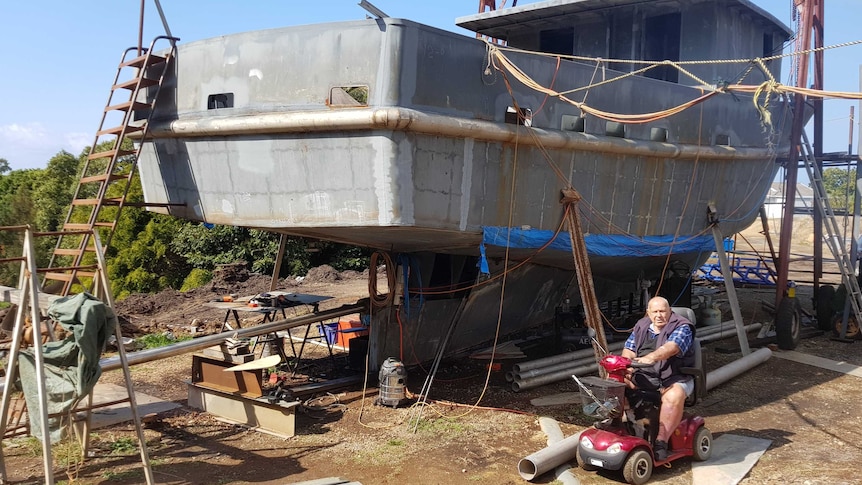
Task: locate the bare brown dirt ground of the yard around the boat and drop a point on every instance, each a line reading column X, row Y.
column 475, row 429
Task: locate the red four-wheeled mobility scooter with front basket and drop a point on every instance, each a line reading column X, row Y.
column 624, row 439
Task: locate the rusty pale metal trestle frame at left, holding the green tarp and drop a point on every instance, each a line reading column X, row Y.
column 28, row 299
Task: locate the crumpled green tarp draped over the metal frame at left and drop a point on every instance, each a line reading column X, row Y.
column 71, row 365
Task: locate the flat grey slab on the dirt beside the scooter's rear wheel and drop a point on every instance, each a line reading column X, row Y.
column 733, row 456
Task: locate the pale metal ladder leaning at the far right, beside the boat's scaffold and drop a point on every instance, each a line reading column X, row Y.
column 834, row 235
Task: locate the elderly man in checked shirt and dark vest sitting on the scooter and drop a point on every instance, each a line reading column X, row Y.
column 664, row 339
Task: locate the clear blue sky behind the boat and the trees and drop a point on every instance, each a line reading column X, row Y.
column 57, row 58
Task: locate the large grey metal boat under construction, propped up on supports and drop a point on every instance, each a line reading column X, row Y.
column 448, row 153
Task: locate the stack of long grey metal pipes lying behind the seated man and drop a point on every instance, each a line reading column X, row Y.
column 535, row 373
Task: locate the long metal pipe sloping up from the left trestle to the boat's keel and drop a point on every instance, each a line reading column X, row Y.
column 112, row 363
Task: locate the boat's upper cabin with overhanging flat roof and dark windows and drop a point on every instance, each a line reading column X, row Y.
column 656, row 30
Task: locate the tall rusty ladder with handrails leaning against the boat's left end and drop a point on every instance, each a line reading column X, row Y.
column 108, row 173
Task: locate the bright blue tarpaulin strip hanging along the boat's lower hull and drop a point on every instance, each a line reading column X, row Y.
column 597, row 244
